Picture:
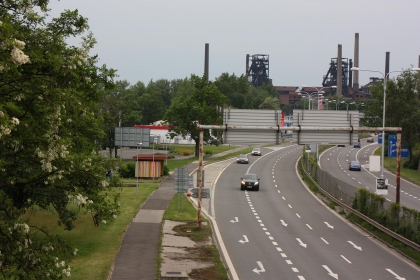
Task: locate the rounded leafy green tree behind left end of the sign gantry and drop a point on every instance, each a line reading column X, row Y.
column 190, row 108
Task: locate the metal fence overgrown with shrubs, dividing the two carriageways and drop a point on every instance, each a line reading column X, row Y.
column 398, row 221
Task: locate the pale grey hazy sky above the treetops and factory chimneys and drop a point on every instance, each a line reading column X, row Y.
column 154, row 39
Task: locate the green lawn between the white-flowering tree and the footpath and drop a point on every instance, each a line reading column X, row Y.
column 97, row 246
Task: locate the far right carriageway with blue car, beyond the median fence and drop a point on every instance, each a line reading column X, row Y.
column 336, row 159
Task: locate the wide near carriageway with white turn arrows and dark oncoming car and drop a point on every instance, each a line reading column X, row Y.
column 283, row 231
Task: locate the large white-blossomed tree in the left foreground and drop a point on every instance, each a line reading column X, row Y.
column 50, row 128
